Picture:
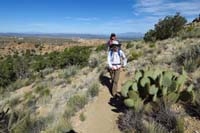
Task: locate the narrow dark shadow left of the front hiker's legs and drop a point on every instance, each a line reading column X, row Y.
column 106, row 82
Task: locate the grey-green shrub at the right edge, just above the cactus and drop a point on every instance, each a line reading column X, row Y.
column 189, row 58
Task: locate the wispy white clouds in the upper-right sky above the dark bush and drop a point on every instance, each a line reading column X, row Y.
column 150, row 11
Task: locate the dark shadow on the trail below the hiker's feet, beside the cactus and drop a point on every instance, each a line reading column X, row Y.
column 118, row 102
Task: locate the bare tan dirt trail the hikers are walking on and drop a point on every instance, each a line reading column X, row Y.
column 100, row 117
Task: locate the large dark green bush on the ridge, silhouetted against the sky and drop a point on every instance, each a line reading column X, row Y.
column 166, row 28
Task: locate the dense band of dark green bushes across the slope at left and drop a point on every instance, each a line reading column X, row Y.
column 21, row 67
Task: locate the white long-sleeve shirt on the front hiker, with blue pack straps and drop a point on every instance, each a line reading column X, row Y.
column 114, row 60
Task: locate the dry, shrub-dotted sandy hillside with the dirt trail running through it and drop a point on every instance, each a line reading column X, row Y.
column 53, row 95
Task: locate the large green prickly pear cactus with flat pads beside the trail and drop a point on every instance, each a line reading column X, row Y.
column 154, row 84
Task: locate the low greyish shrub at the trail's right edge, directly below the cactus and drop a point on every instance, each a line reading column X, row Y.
column 131, row 121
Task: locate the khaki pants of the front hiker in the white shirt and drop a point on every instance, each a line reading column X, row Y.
column 115, row 78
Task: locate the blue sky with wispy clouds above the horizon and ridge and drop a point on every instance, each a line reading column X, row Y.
column 90, row 16
